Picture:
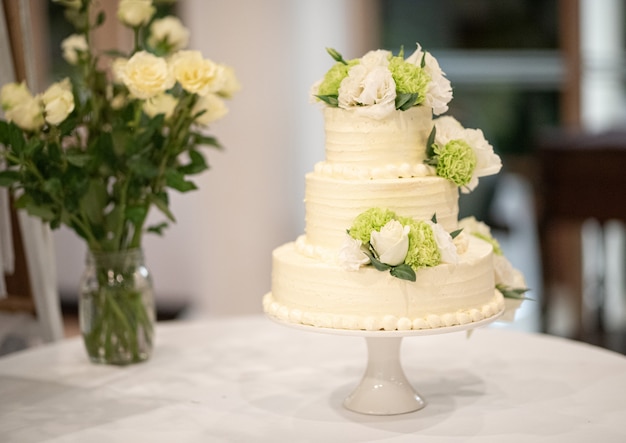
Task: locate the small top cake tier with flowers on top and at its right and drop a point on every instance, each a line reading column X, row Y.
column 378, row 119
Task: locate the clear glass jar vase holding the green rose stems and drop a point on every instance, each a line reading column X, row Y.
column 116, row 307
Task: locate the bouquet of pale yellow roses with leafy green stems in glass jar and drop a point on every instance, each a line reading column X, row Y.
column 97, row 150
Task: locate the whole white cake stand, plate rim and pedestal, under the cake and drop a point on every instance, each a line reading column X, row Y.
column 384, row 388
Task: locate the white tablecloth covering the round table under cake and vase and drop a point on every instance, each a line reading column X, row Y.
column 248, row 379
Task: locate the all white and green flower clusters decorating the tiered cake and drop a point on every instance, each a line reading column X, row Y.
column 377, row 85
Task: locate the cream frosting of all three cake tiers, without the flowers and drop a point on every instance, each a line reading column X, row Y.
column 378, row 163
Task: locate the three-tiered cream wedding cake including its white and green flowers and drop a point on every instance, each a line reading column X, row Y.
column 383, row 248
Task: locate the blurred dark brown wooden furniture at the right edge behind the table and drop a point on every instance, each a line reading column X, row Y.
column 582, row 177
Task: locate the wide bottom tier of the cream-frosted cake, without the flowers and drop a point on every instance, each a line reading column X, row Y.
column 312, row 292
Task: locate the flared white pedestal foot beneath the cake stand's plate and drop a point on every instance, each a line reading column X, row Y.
column 384, row 389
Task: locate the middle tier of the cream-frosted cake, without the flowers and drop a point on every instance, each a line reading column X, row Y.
column 332, row 204
